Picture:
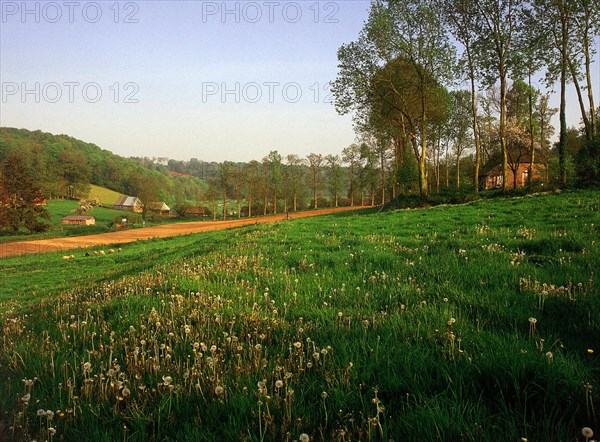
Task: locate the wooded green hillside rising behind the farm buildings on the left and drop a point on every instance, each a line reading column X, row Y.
column 66, row 167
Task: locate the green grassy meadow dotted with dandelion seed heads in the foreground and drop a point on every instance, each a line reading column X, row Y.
column 473, row 322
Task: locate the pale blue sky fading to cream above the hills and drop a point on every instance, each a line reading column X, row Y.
column 211, row 80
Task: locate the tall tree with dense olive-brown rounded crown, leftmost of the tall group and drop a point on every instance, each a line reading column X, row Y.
column 373, row 71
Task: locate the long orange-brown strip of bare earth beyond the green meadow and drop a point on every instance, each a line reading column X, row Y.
column 162, row 231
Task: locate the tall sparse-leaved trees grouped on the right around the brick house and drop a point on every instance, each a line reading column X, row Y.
column 400, row 79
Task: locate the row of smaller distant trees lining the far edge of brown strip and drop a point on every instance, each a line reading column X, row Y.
column 277, row 184
